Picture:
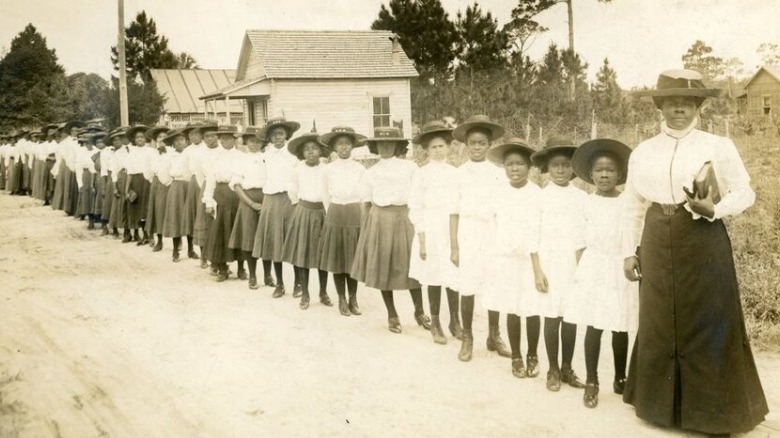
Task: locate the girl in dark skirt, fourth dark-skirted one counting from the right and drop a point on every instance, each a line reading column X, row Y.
column 275, row 213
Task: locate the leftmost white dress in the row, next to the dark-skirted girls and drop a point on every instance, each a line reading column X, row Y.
column 433, row 198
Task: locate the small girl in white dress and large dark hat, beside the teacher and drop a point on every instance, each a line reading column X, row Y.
column 601, row 296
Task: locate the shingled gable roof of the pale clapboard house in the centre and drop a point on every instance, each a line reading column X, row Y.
column 300, row 54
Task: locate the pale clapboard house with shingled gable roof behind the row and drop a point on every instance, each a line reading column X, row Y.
column 356, row 78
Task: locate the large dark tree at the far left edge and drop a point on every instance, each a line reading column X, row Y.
column 32, row 83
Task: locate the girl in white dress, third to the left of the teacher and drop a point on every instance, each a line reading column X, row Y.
column 516, row 208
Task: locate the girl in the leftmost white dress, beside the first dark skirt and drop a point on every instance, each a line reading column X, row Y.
column 432, row 200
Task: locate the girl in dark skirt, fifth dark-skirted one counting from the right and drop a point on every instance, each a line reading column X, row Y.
column 248, row 184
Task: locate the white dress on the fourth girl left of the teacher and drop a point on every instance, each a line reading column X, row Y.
column 476, row 183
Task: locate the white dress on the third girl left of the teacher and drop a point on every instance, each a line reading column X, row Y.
column 516, row 215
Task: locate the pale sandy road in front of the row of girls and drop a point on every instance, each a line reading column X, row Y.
column 103, row 339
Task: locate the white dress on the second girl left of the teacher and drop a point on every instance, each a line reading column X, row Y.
column 561, row 234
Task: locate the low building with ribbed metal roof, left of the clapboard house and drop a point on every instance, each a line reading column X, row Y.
column 183, row 89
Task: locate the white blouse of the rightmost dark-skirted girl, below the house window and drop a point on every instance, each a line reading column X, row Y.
column 388, row 182
